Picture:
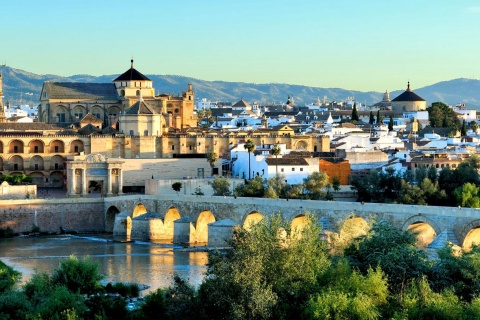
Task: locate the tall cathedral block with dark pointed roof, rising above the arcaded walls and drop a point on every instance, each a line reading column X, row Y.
column 128, row 105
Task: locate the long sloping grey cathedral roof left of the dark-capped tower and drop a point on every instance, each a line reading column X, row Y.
column 81, row 91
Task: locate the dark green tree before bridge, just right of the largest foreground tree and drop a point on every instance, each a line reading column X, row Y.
column 391, row 249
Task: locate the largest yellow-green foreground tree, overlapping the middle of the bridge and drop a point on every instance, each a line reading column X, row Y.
column 269, row 273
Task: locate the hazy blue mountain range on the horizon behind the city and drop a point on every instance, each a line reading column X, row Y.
column 22, row 87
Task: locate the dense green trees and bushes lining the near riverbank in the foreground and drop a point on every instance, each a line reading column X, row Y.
column 275, row 270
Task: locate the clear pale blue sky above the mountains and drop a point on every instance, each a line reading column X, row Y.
column 373, row 45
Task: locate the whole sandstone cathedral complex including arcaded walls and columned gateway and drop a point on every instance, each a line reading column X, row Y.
column 119, row 135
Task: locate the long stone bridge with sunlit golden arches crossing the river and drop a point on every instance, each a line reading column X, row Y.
column 189, row 218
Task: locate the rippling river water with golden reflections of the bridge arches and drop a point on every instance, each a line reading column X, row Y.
column 144, row 263
